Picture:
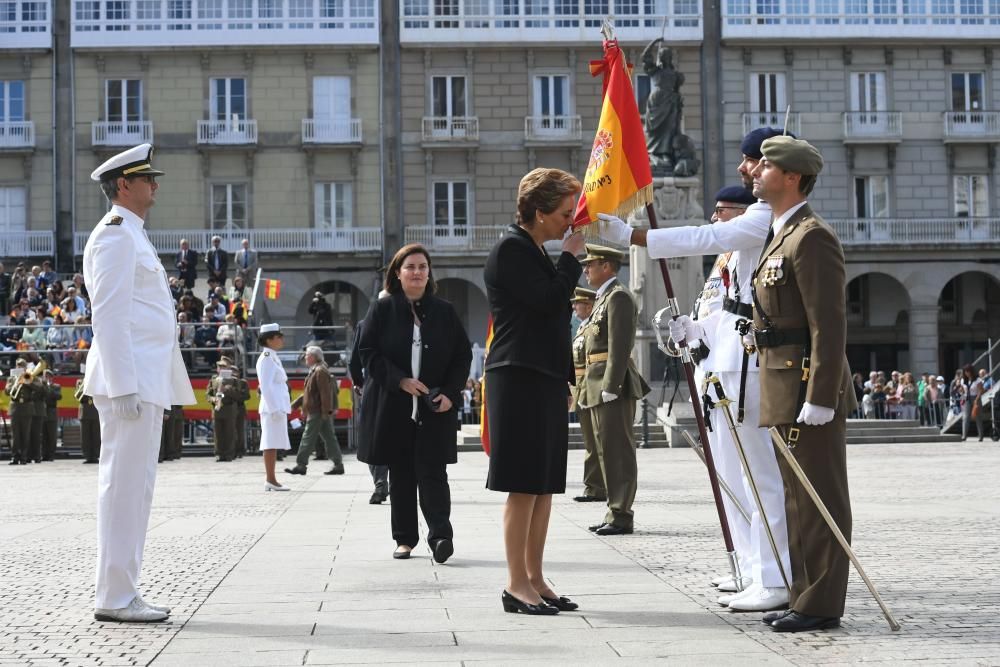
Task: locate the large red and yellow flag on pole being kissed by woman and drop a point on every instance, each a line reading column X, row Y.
column 618, row 178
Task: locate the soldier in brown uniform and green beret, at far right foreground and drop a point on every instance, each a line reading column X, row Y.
column 800, row 330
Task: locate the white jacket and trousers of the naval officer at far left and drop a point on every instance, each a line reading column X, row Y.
column 135, row 351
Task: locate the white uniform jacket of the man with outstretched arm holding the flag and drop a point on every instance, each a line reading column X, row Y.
column 744, row 237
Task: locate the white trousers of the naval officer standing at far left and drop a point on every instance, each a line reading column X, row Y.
column 126, row 476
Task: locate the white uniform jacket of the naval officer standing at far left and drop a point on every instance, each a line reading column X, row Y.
column 135, row 348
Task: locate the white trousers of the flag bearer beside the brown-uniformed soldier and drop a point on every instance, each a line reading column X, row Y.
column 763, row 462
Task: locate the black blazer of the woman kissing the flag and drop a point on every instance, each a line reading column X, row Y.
column 529, row 298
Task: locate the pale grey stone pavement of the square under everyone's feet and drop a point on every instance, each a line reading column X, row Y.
column 306, row 577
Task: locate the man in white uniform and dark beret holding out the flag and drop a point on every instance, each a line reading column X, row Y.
column 743, row 236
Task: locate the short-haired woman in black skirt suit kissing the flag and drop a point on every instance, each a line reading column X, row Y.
column 528, row 372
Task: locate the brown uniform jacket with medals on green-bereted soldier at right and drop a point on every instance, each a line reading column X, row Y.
column 810, row 294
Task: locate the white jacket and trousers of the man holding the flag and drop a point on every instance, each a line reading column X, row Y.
column 744, row 236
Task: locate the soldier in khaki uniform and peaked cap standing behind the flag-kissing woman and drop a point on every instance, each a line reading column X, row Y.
column 611, row 384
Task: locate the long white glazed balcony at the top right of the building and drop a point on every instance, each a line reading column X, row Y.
column 845, row 19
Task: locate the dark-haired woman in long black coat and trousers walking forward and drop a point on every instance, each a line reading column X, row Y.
column 416, row 356
